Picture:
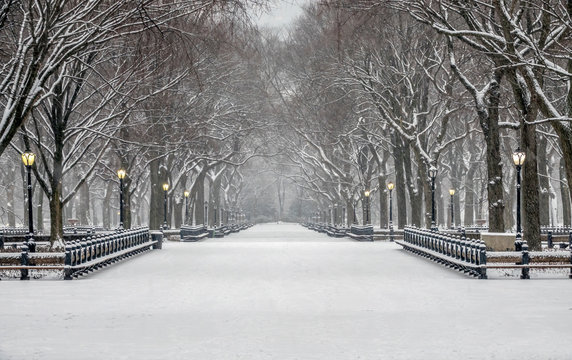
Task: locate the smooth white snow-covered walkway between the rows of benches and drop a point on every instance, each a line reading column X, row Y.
column 284, row 292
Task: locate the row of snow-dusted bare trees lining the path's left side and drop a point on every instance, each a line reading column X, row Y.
column 154, row 87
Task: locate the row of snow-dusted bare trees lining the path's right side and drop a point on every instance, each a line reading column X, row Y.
column 383, row 90
